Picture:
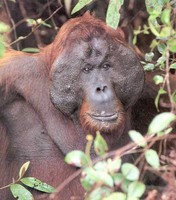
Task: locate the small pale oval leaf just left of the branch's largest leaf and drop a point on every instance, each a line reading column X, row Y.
column 137, row 138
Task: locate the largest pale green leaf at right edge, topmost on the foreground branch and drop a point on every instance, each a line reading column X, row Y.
column 161, row 122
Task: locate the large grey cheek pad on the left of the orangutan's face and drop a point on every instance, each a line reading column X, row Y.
column 65, row 84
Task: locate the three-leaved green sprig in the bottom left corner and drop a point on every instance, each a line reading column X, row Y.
column 20, row 192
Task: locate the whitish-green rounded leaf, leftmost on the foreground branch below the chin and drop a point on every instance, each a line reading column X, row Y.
column 77, row 158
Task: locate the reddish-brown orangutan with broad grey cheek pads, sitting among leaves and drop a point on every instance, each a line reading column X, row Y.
column 88, row 79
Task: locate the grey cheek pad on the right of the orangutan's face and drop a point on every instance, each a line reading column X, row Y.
column 128, row 78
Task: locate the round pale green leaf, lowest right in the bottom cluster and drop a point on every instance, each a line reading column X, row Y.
column 136, row 189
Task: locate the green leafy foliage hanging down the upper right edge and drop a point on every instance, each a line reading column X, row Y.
column 161, row 23
